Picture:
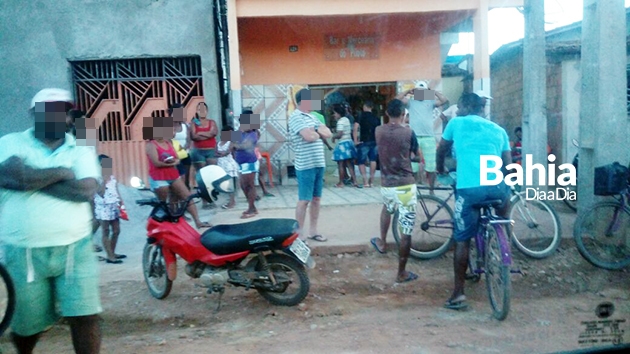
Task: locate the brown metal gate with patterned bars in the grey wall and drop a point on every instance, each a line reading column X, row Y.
column 118, row 93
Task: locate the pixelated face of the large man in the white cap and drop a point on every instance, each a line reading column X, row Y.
column 51, row 120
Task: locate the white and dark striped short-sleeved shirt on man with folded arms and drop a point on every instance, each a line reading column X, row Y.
column 307, row 154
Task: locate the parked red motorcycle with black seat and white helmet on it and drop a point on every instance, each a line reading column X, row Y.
column 265, row 254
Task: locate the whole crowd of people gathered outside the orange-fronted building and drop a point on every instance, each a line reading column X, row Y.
column 50, row 171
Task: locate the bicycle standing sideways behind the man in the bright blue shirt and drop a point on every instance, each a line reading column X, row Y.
column 536, row 232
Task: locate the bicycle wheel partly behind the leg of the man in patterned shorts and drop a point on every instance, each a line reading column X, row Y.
column 432, row 233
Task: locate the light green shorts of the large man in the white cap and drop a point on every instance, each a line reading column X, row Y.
column 51, row 282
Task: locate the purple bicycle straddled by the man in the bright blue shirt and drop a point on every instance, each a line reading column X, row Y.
column 491, row 255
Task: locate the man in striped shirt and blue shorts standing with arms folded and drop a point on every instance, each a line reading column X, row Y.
column 306, row 133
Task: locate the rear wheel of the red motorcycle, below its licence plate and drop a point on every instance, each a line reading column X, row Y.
column 292, row 283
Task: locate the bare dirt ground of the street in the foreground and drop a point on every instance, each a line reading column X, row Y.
column 355, row 307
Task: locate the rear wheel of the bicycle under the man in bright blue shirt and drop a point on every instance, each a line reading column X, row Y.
column 497, row 272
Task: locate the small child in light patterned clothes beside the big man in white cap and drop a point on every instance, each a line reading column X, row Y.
column 107, row 210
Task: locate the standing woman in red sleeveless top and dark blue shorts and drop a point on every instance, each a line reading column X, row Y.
column 203, row 134
